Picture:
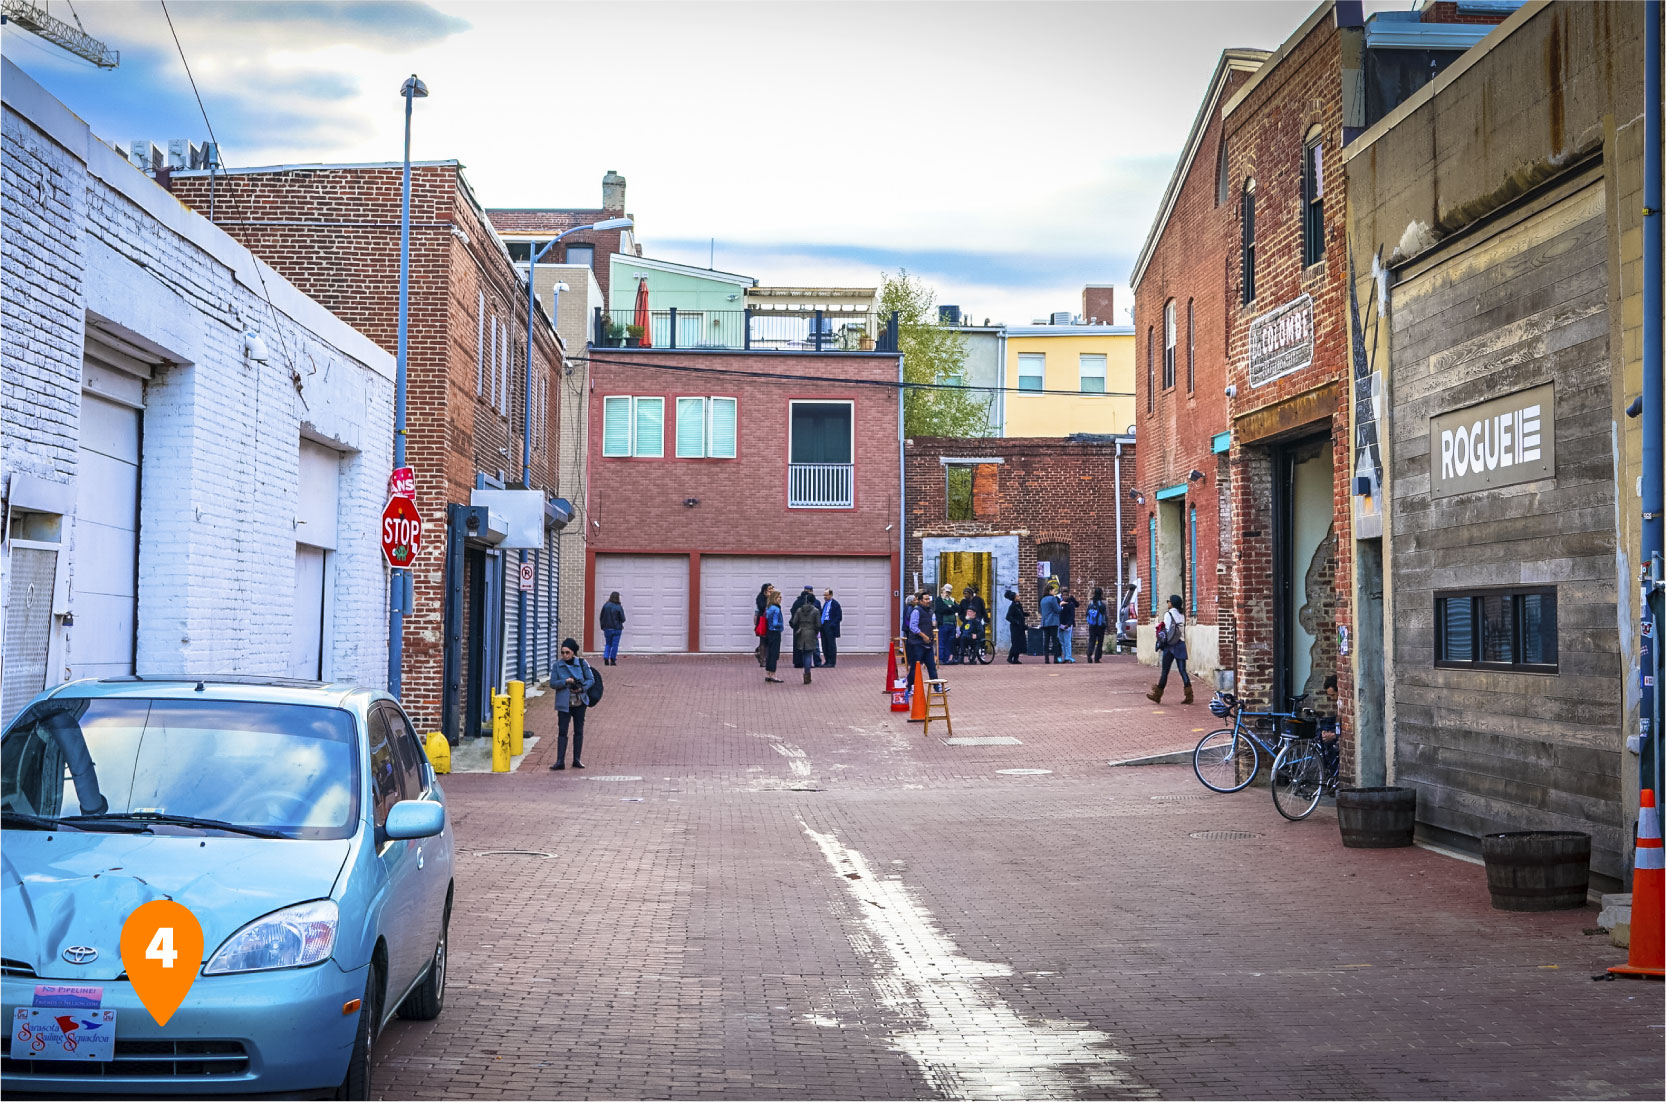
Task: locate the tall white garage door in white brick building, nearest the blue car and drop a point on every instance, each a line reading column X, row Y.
column 106, row 541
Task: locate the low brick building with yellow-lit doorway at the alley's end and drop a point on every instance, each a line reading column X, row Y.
column 993, row 511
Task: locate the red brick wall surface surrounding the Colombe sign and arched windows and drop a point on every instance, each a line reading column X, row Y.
column 1265, row 141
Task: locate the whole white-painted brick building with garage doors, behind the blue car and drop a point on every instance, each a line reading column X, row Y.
column 193, row 453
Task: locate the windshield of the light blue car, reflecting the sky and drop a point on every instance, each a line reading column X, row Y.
column 286, row 770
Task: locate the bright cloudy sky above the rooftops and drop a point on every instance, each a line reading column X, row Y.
column 1007, row 153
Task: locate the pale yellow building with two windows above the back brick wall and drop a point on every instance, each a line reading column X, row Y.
column 1070, row 378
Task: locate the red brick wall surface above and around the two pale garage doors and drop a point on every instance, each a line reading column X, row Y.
column 640, row 503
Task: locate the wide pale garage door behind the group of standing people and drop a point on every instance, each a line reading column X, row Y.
column 731, row 583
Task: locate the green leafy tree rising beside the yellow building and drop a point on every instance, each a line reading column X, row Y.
column 933, row 356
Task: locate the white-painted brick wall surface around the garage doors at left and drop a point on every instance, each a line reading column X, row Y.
column 219, row 478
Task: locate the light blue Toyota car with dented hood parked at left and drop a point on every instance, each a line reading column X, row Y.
column 299, row 823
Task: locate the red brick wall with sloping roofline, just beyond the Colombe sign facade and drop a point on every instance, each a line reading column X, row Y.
column 1190, row 264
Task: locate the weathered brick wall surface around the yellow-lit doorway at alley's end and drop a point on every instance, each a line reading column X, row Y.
column 1050, row 490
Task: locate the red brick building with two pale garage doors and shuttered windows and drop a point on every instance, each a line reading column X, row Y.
column 715, row 471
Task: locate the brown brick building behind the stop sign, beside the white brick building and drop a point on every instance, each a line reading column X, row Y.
column 334, row 231
